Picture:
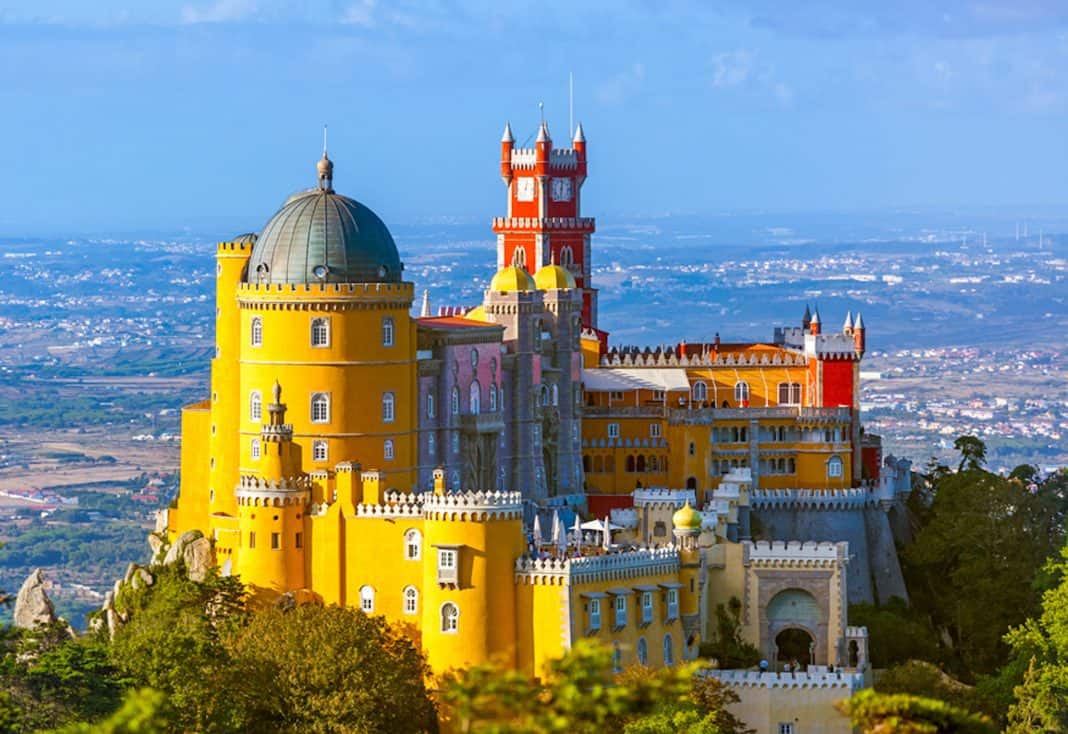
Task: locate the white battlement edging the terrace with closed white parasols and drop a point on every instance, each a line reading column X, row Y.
column 592, row 569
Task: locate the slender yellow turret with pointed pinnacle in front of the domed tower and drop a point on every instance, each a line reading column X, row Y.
column 272, row 511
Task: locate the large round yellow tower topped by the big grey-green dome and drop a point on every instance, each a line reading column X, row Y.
column 323, row 309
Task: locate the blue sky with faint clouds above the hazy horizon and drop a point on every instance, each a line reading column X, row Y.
column 121, row 116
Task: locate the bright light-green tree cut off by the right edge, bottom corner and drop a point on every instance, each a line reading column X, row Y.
column 1042, row 645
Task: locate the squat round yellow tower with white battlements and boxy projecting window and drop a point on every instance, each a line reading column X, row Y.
column 469, row 607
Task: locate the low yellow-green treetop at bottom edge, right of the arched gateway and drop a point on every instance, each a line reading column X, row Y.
column 874, row 713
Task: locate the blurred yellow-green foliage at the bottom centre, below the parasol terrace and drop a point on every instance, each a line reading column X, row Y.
column 578, row 694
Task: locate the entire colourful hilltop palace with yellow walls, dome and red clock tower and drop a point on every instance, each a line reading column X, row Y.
column 410, row 465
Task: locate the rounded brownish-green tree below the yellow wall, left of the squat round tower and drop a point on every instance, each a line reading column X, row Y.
column 333, row 669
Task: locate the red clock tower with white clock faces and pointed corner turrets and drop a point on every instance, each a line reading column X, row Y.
column 544, row 225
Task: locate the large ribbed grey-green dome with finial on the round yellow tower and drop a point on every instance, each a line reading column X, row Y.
column 320, row 237
